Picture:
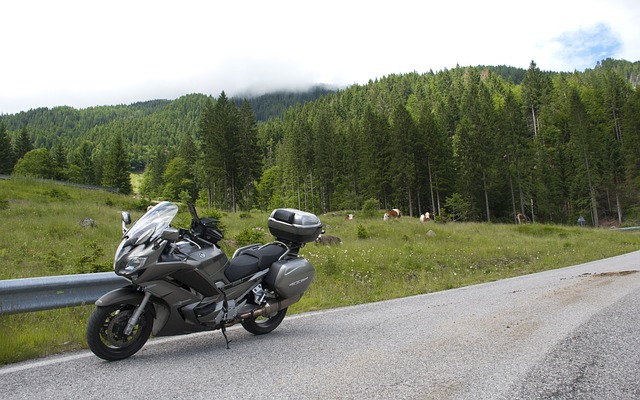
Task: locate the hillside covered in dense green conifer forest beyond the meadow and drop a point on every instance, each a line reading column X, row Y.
column 470, row 143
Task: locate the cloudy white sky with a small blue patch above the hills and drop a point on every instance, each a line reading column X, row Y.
column 85, row 53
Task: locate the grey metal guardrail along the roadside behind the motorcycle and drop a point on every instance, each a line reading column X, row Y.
column 47, row 293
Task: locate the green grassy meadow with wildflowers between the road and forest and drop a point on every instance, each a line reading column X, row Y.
column 377, row 259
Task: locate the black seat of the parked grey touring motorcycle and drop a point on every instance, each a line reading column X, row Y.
column 251, row 261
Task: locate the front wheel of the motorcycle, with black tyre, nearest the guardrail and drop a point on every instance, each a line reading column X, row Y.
column 105, row 331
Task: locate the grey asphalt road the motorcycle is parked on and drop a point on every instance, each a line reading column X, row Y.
column 571, row 333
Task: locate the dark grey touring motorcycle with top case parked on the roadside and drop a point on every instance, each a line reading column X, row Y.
column 182, row 282
